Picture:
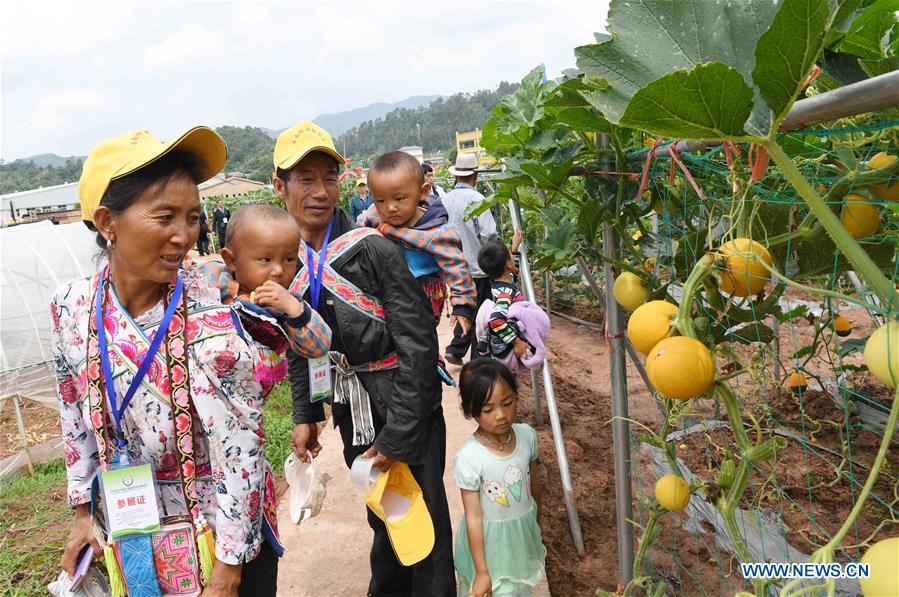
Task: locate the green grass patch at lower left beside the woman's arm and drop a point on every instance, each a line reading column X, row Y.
column 34, row 525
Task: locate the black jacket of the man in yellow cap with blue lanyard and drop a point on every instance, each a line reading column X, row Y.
column 406, row 396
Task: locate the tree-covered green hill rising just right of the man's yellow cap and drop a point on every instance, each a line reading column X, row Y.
column 433, row 127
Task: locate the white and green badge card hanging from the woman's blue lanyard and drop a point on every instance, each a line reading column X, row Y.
column 129, row 497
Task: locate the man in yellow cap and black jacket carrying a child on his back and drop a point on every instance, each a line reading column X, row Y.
column 386, row 394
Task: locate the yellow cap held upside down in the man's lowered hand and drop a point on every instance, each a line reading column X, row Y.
column 396, row 499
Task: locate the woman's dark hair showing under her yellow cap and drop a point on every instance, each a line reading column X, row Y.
column 123, row 192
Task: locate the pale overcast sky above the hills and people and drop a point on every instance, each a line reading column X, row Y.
column 75, row 73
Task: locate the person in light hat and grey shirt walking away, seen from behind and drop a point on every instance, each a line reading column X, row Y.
column 474, row 232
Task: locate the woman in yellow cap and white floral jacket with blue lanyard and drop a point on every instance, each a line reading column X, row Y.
column 150, row 371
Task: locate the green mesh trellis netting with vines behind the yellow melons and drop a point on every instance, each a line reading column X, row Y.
column 829, row 430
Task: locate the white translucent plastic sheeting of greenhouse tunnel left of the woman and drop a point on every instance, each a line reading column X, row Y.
column 35, row 259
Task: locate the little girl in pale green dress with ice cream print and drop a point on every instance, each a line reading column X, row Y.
column 499, row 550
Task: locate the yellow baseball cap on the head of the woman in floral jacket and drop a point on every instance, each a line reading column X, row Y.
column 128, row 153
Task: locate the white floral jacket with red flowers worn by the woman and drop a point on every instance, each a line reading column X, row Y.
column 227, row 429
